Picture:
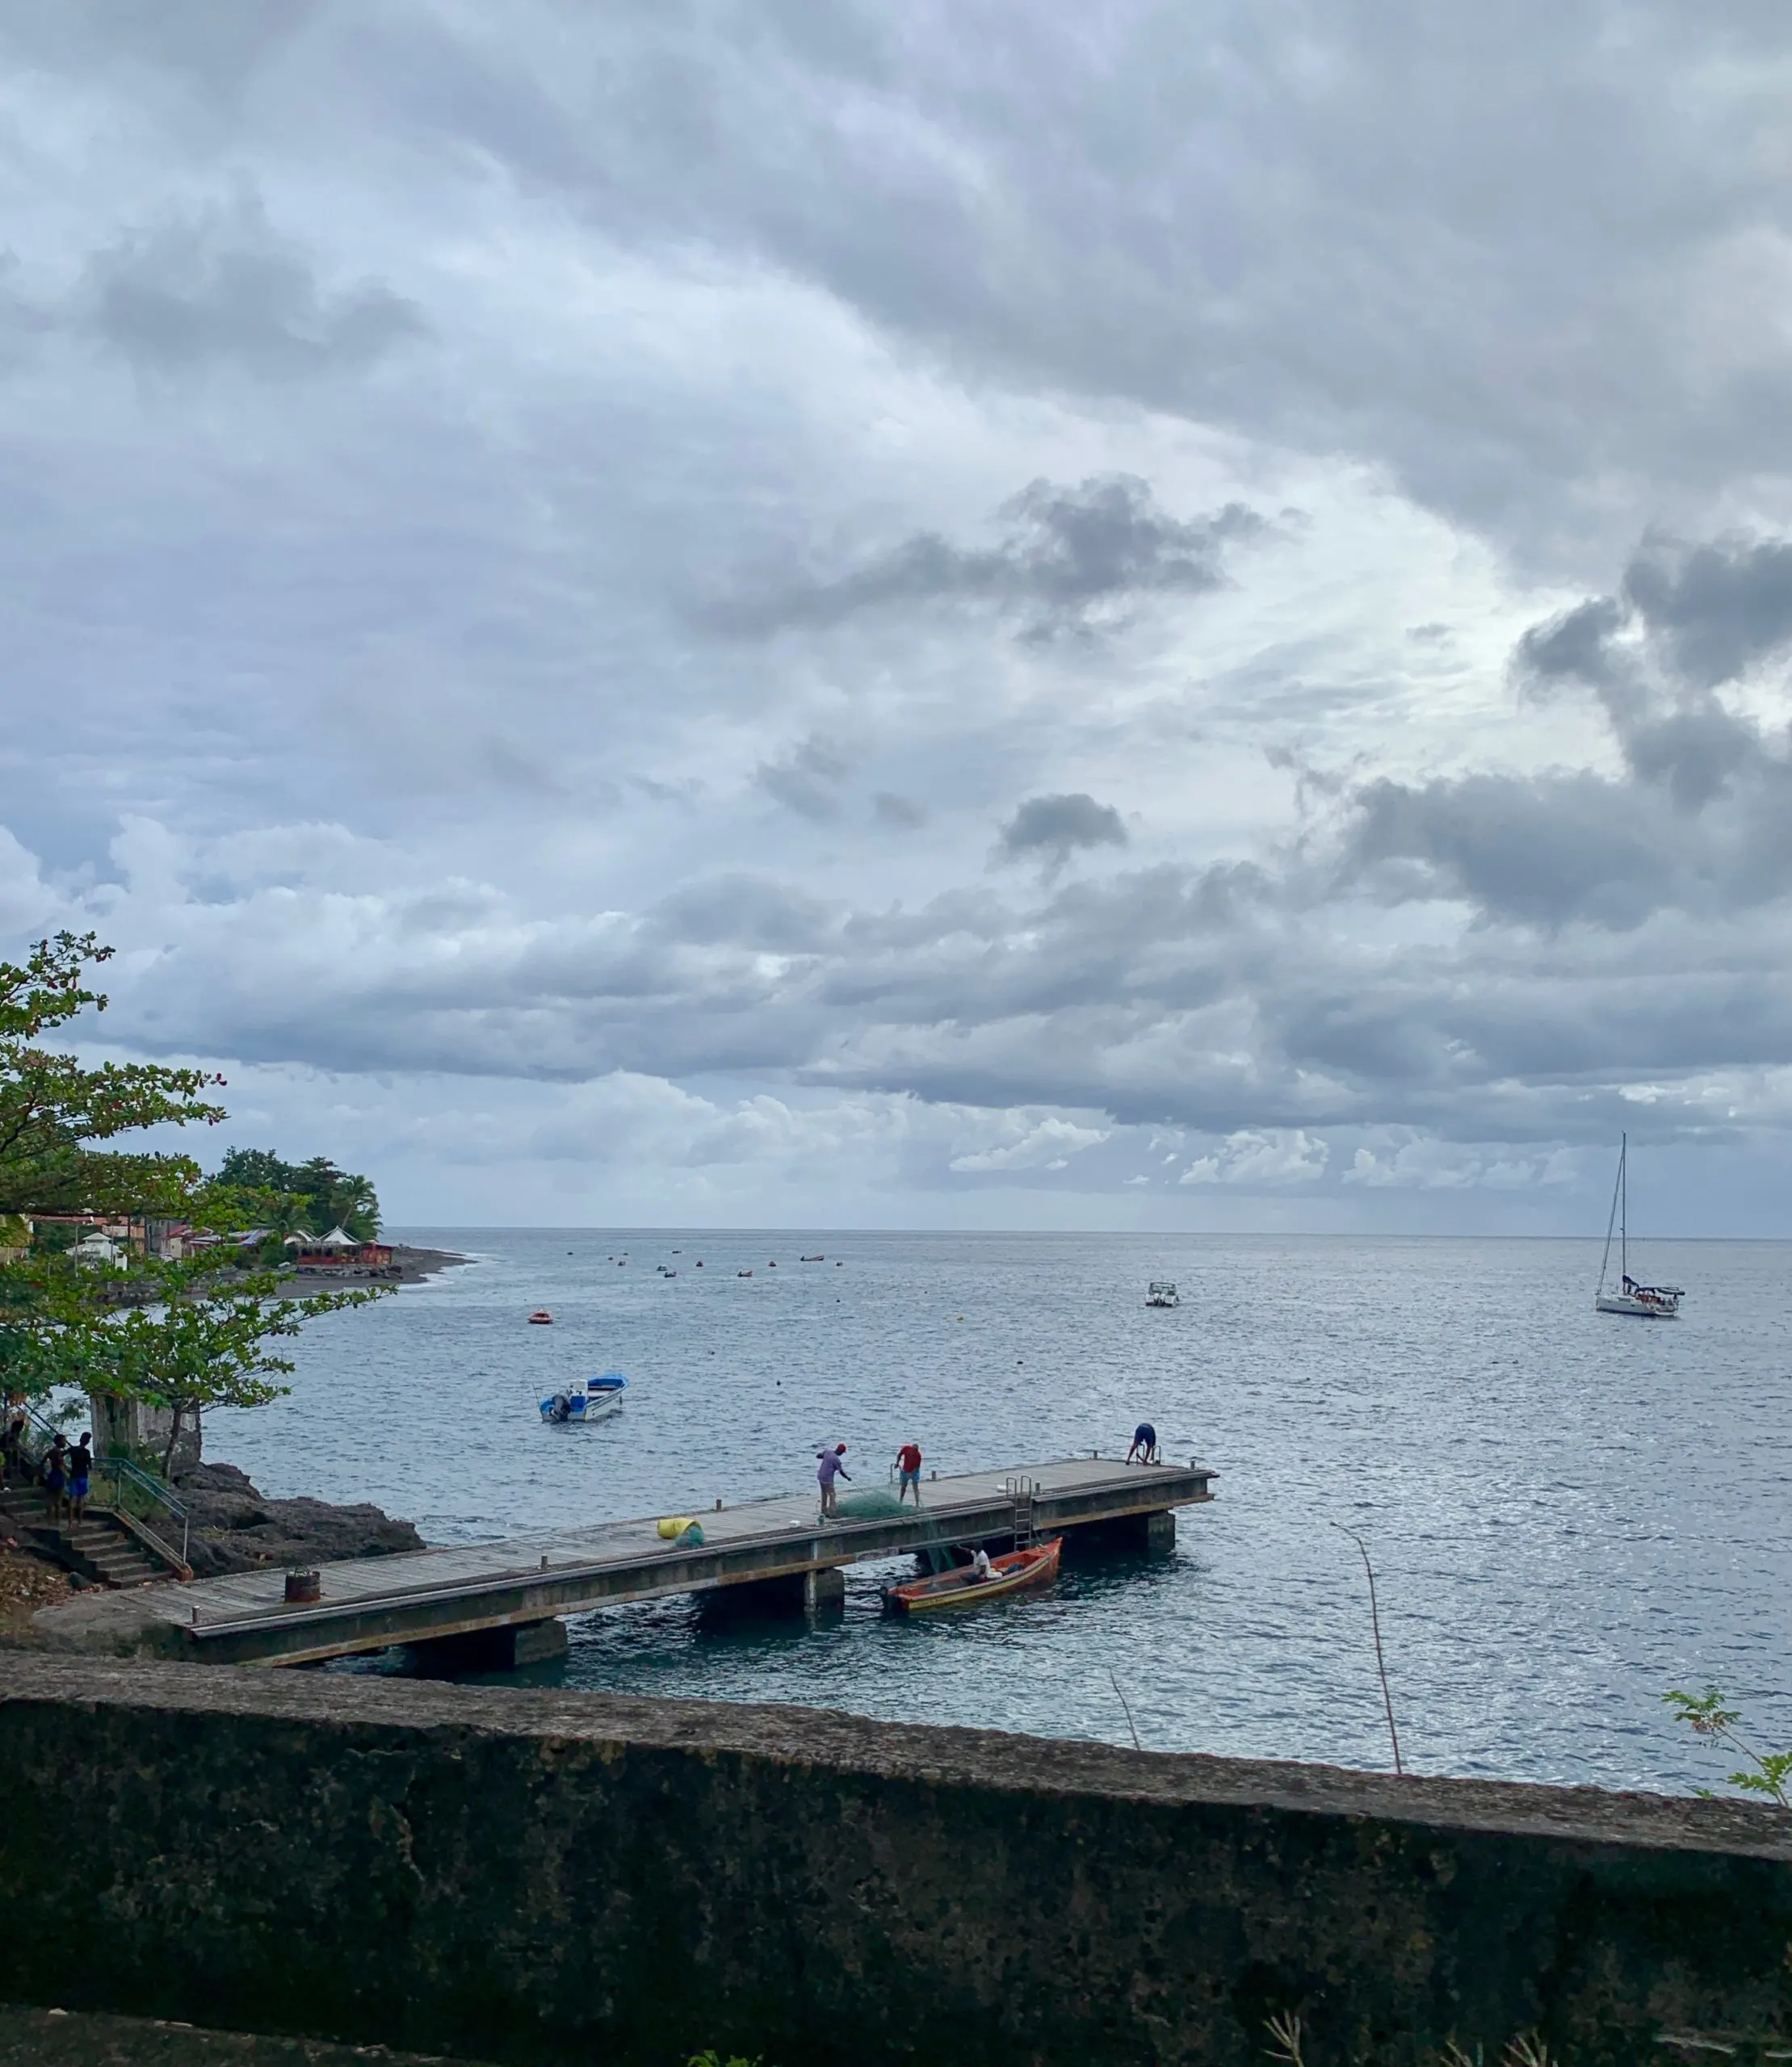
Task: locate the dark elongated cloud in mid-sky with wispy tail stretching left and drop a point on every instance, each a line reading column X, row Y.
column 1070, row 557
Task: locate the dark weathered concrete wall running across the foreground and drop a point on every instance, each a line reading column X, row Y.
column 569, row 1878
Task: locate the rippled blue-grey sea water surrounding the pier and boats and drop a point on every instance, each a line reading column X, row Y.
column 1568, row 1512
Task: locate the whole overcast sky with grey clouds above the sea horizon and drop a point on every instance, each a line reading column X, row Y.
column 939, row 615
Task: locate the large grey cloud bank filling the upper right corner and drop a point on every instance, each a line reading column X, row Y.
column 1115, row 212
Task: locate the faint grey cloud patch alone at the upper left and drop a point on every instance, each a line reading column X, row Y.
column 220, row 286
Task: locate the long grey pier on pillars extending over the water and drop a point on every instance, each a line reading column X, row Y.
column 427, row 1597
